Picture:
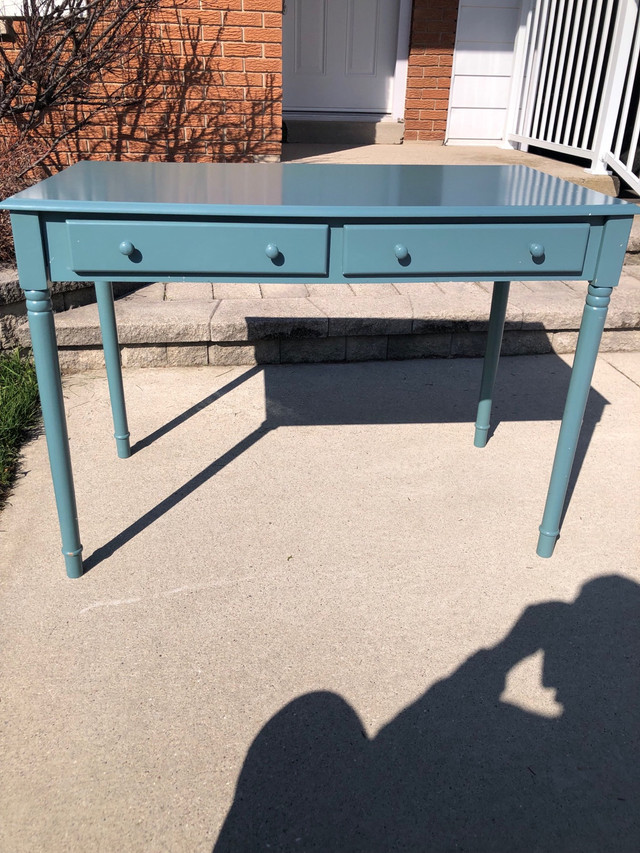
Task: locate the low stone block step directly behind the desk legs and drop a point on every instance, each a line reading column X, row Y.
column 190, row 323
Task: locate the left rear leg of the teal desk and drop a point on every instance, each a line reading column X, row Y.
column 111, row 348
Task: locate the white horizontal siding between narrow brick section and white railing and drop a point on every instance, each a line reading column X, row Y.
column 482, row 67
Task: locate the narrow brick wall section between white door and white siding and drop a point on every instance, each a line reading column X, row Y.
column 433, row 32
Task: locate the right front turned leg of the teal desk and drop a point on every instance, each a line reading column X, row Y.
column 593, row 318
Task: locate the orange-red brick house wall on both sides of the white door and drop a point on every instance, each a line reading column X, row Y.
column 212, row 85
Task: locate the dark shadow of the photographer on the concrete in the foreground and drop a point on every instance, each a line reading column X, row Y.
column 460, row 769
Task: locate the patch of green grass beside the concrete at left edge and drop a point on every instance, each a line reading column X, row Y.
column 19, row 413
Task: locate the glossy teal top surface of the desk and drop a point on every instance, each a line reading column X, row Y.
column 311, row 190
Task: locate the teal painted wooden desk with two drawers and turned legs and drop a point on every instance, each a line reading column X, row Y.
column 129, row 222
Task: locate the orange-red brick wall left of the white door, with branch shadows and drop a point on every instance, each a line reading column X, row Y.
column 211, row 89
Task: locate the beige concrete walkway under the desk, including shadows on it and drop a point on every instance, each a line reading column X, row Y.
column 296, row 573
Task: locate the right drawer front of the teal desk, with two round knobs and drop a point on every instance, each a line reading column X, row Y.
column 500, row 250
